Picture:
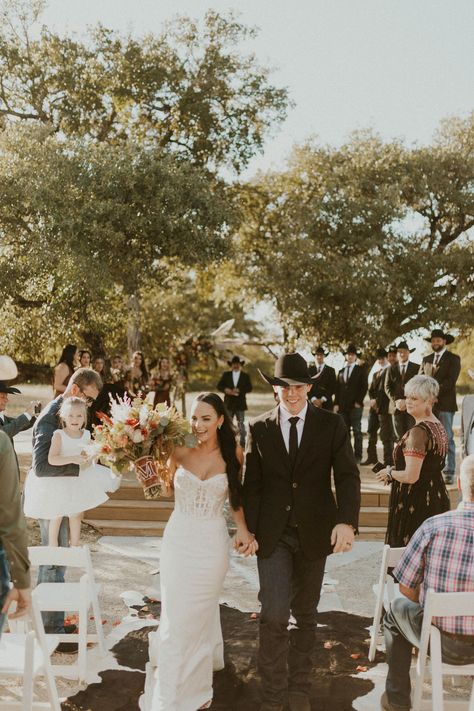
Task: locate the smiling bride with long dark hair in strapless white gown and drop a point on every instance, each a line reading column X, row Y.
column 195, row 558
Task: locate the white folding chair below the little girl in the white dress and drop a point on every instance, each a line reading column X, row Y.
column 71, row 597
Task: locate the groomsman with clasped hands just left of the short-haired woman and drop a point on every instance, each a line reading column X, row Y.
column 395, row 381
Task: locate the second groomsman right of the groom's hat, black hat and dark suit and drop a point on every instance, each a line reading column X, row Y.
column 350, row 393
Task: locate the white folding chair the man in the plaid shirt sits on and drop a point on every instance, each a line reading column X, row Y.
column 440, row 605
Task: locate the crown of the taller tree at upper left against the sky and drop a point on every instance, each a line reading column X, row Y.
column 189, row 89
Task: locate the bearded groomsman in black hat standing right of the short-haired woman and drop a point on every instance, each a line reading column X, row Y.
column 444, row 367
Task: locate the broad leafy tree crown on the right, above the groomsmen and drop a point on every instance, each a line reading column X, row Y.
column 365, row 242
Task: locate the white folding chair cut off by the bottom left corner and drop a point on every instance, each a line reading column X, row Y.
column 27, row 655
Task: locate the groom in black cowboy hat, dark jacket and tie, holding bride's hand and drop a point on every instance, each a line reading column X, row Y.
column 290, row 507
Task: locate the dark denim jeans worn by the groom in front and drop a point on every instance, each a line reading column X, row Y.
column 290, row 588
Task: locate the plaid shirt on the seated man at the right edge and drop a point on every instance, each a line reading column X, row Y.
column 440, row 556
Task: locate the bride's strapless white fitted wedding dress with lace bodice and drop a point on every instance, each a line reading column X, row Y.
column 188, row 645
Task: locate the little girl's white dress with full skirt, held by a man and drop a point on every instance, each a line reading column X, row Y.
column 53, row 496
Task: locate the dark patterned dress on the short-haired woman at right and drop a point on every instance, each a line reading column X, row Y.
column 411, row 504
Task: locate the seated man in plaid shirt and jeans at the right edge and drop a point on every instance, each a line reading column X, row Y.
column 439, row 556
